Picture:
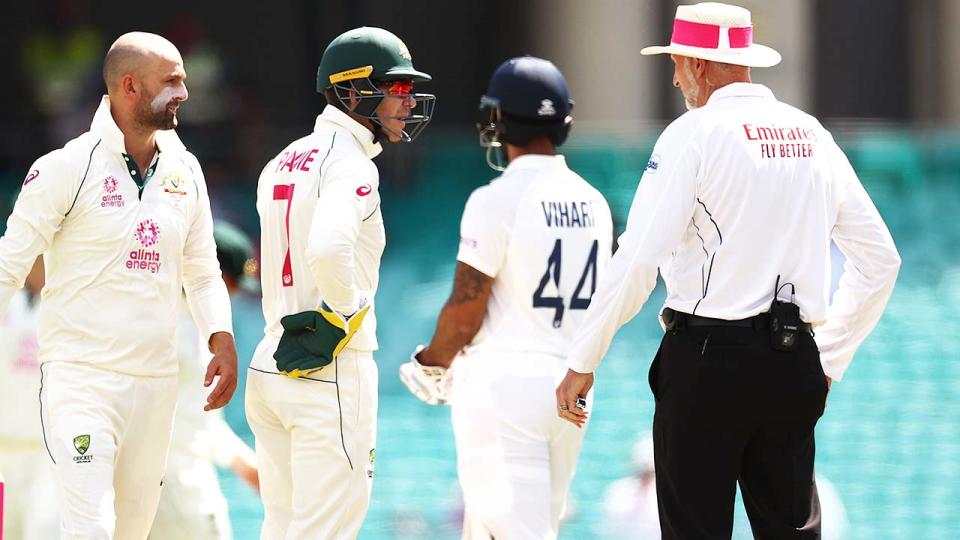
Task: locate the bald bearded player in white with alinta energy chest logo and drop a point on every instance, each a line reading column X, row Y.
column 122, row 217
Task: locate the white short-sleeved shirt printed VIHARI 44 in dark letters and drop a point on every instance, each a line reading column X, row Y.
column 544, row 234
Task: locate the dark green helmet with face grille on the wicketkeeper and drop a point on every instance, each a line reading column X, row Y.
column 367, row 64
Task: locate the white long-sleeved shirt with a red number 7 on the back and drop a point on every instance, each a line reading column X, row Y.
column 321, row 226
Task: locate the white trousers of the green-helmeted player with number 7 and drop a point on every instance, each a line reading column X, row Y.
column 315, row 442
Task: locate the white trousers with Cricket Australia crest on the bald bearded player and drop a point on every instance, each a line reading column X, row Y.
column 108, row 435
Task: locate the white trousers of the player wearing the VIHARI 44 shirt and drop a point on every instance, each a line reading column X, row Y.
column 515, row 456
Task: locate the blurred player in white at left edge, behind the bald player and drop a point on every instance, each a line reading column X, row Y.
column 31, row 492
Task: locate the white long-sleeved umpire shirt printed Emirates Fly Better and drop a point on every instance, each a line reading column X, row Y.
column 735, row 193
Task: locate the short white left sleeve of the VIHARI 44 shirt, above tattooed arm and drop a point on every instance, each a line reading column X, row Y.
column 484, row 233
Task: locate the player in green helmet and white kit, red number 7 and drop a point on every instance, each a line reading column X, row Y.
column 322, row 238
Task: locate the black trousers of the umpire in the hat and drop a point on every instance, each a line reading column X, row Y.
column 729, row 408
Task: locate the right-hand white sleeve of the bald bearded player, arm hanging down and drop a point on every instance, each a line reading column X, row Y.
column 202, row 281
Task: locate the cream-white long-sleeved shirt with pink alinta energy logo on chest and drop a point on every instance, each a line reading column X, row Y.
column 117, row 260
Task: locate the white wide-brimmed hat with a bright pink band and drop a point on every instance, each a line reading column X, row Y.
column 716, row 32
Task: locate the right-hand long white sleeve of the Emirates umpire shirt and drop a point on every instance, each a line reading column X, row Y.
column 869, row 272
